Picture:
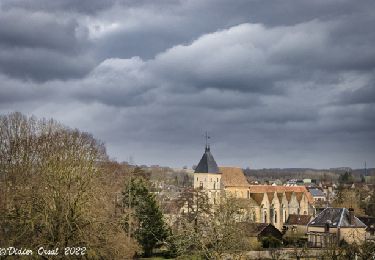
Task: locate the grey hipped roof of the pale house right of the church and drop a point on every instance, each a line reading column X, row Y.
column 336, row 217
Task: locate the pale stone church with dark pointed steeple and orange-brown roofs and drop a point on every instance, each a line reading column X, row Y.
column 267, row 204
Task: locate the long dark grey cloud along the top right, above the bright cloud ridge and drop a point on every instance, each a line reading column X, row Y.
column 177, row 22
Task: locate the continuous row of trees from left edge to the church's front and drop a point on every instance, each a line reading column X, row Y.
column 59, row 189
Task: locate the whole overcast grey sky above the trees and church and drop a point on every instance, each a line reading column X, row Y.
column 276, row 83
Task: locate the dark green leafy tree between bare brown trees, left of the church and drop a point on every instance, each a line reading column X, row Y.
column 148, row 228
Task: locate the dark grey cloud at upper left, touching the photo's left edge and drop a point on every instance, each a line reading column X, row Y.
column 40, row 46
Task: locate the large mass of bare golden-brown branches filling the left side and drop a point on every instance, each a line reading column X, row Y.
column 53, row 189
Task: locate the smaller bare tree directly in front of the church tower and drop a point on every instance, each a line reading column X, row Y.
column 215, row 233
